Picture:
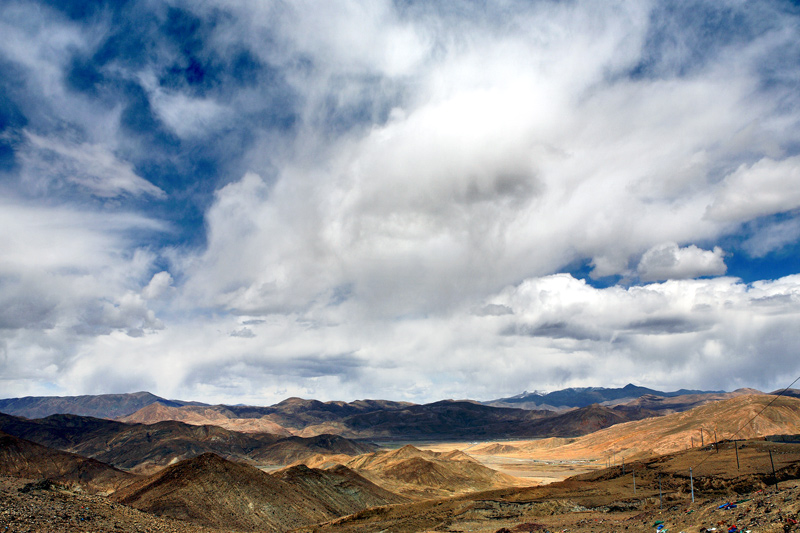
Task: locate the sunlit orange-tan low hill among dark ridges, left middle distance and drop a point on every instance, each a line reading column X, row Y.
column 200, row 415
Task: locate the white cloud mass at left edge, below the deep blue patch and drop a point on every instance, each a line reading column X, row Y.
column 67, row 276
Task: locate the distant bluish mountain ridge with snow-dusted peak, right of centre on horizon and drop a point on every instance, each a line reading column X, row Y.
column 586, row 396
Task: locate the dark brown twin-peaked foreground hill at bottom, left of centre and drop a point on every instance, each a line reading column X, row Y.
column 212, row 491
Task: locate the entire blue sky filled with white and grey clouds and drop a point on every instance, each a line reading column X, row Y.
column 240, row 202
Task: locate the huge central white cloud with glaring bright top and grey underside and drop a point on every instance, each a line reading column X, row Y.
column 510, row 157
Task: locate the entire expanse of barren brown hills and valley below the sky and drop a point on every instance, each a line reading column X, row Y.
column 687, row 462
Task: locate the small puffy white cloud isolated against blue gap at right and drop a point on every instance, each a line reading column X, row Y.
column 669, row 261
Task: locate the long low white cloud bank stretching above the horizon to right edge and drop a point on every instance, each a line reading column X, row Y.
column 709, row 333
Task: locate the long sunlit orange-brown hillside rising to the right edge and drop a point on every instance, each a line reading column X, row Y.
column 727, row 419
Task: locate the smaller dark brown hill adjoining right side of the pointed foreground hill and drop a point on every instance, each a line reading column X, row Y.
column 340, row 489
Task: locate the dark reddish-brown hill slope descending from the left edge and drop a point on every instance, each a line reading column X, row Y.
column 25, row 459
